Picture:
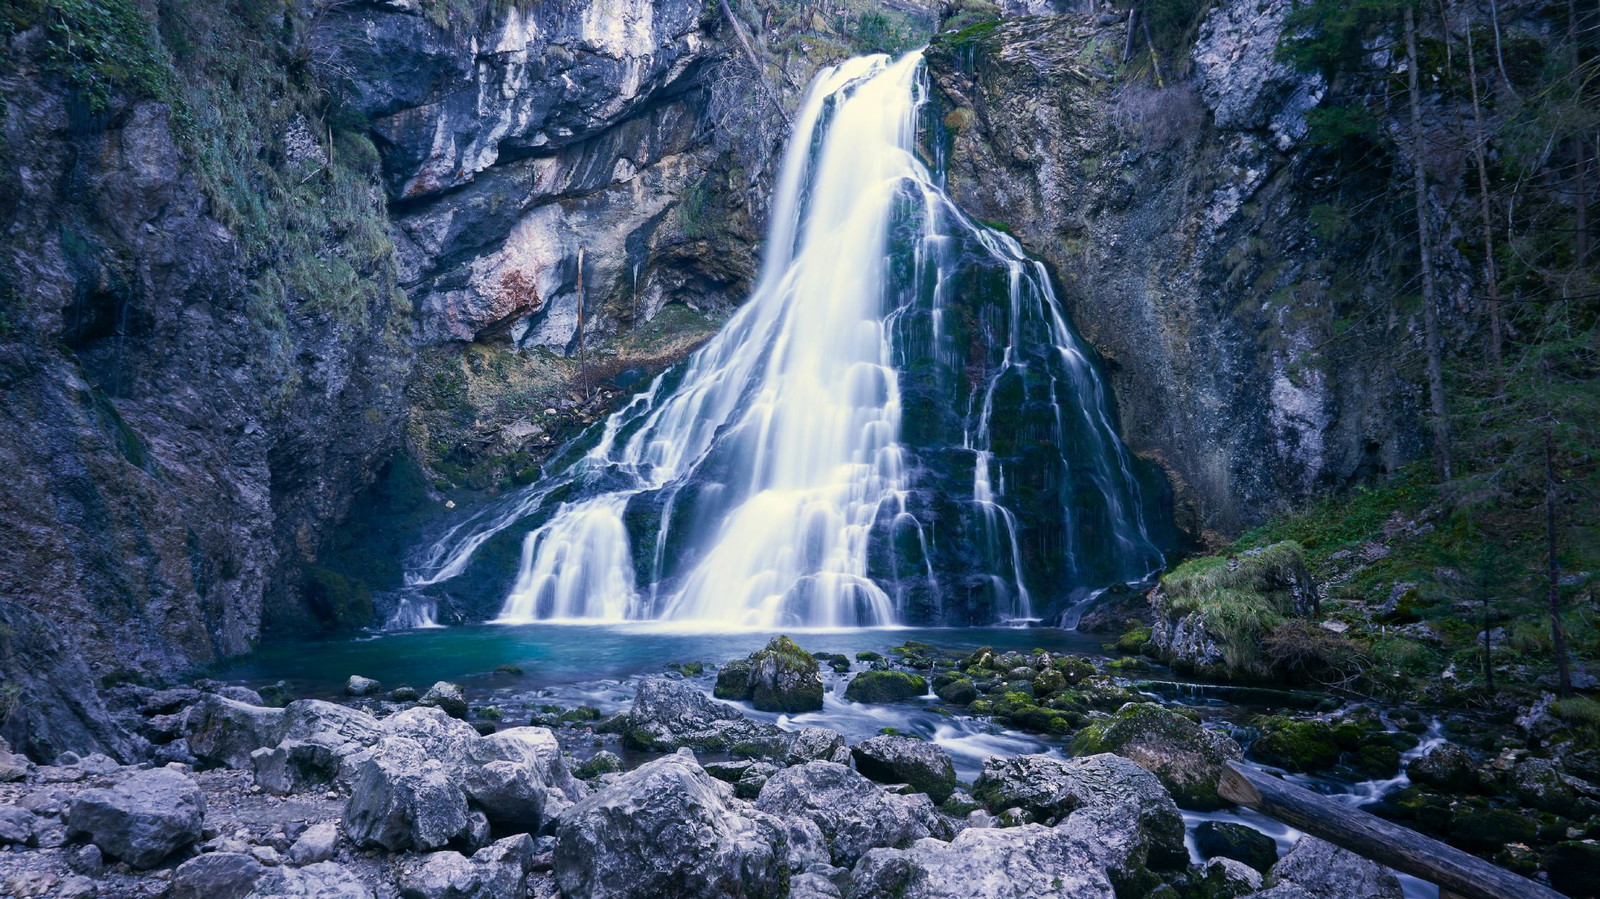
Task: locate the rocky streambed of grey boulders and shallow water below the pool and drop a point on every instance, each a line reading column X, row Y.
column 1012, row 775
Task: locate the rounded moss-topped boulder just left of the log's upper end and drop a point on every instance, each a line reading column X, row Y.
column 1185, row 756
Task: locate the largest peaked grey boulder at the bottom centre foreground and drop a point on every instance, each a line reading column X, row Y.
column 670, row 831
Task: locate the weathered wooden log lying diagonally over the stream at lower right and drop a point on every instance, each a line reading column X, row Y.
column 1375, row 839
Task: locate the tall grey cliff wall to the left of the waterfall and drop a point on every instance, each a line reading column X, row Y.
column 190, row 404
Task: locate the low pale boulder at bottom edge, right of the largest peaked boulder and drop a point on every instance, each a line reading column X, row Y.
column 1014, row 863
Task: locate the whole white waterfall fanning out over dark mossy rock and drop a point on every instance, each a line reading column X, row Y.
column 898, row 428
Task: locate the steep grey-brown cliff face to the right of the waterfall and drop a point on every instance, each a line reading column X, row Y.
column 1180, row 223
